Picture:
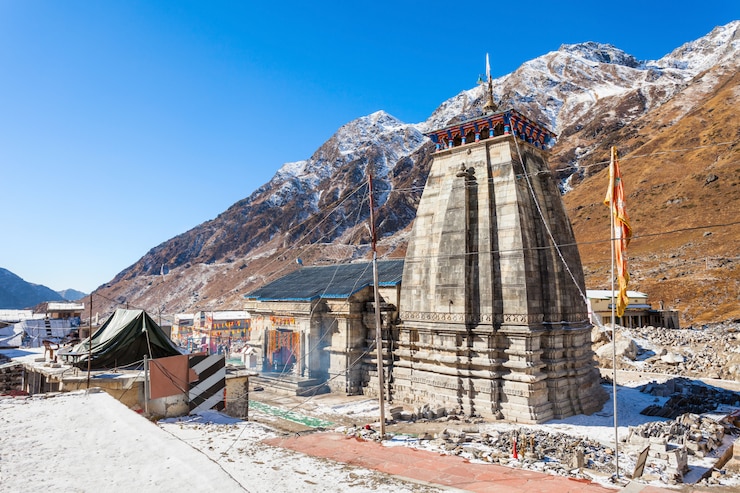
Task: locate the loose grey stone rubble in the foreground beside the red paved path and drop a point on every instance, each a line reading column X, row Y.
column 655, row 451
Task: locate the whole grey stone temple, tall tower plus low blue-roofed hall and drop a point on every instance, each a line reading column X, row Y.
column 486, row 315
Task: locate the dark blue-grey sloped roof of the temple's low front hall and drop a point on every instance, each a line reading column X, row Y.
column 332, row 281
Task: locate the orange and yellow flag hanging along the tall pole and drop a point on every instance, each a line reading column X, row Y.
column 622, row 233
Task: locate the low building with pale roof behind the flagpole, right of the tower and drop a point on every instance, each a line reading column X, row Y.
column 638, row 313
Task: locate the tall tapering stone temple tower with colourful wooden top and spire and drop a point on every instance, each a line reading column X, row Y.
column 493, row 313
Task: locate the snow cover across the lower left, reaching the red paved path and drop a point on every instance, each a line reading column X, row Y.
column 86, row 441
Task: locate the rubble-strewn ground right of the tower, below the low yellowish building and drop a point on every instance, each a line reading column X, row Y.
column 711, row 351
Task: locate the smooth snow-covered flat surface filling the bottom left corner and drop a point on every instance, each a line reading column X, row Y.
column 88, row 441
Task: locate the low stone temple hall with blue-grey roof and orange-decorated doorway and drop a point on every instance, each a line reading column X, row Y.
column 318, row 323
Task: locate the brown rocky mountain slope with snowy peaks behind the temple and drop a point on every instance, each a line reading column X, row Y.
column 672, row 120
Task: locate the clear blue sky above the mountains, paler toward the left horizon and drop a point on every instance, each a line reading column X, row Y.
column 126, row 123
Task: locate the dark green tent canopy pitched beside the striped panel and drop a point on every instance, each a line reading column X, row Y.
column 123, row 340
